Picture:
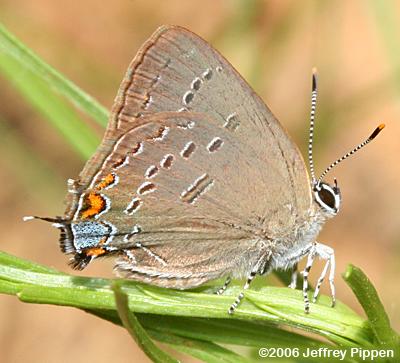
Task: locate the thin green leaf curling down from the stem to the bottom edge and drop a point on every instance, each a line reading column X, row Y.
column 135, row 329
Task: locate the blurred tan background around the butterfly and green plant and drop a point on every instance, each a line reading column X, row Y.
column 274, row 45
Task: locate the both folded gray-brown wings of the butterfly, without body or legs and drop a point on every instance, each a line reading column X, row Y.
column 242, row 184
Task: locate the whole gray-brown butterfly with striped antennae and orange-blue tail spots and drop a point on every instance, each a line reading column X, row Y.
column 196, row 180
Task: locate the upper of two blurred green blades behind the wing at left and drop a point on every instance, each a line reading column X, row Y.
column 16, row 52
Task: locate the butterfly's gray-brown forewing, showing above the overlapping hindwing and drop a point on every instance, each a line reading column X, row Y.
column 176, row 69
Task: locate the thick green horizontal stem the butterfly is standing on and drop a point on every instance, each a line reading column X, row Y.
column 270, row 304
